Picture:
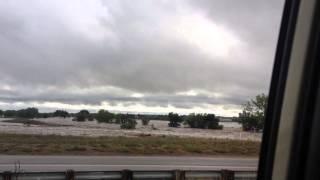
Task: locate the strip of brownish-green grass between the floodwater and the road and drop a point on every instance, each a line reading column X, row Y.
column 149, row 145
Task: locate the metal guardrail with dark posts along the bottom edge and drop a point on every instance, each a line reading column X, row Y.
column 130, row 175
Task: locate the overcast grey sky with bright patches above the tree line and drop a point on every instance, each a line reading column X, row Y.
column 136, row 56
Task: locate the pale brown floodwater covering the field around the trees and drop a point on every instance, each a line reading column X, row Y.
column 66, row 127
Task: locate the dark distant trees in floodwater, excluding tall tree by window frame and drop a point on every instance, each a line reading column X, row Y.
column 126, row 120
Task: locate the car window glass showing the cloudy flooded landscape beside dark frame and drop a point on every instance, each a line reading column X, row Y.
column 144, row 85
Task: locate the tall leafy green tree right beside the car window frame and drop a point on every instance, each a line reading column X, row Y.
column 253, row 114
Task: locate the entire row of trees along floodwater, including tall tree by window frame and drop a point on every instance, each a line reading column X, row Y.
column 252, row 116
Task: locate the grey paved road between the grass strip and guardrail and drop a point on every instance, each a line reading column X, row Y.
column 107, row 163
